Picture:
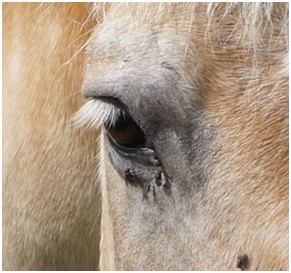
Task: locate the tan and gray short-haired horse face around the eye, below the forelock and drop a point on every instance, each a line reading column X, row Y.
column 210, row 201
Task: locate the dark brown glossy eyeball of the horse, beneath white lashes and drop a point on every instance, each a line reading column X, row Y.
column 126, row 132
